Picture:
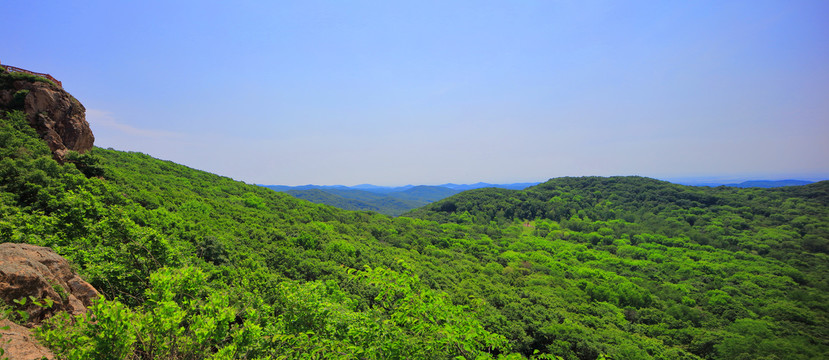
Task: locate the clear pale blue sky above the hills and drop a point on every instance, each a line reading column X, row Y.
column 429, row 92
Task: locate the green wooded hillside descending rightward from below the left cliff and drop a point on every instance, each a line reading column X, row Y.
column 196, row 265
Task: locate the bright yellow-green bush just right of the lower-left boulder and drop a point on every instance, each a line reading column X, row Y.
column 180, row 319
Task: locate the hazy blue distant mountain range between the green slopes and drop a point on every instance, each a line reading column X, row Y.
column 383, row 199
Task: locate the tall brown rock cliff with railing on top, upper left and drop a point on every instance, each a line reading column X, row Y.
column 58, row 117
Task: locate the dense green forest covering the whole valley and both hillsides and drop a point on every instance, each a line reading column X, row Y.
column 195, row 265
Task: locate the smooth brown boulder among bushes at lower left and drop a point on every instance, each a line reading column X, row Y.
column 28, row 270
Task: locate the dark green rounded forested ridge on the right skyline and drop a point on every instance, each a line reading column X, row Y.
column 608, row 197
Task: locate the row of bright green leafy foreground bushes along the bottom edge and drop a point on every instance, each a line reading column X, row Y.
column 184, row 318
